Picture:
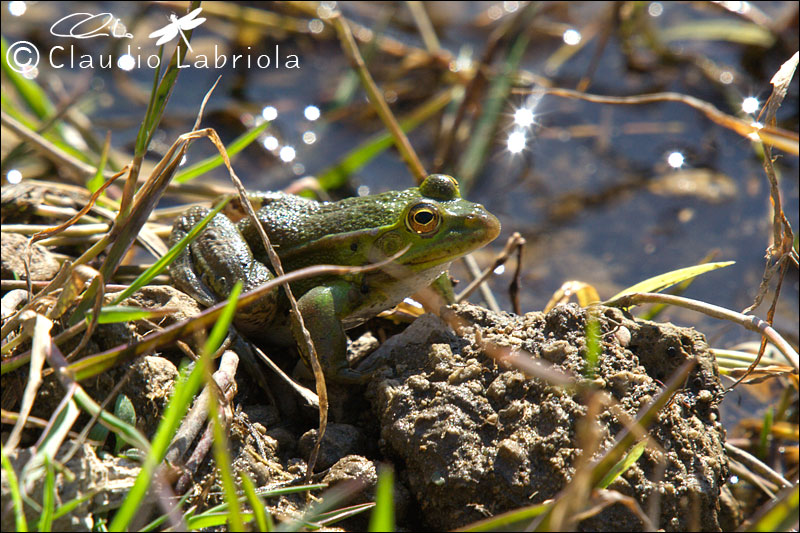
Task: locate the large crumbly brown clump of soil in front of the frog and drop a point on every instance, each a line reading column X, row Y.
column 476, row 438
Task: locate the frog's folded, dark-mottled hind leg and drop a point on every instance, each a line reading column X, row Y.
column 219, row 257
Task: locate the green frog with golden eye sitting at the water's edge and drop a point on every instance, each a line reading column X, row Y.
column 432, row 221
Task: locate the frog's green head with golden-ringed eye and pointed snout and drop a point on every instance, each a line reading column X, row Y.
column 436, row 224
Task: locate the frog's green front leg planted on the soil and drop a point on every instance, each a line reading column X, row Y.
column 323, row 308
